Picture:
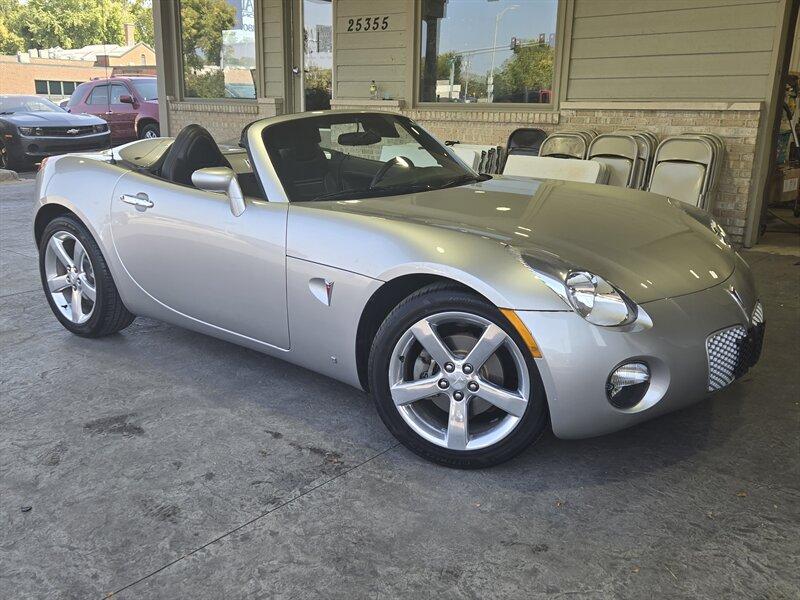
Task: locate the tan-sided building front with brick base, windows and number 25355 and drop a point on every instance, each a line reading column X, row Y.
column 475, row 71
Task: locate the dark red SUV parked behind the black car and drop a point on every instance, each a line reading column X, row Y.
column 128, row 104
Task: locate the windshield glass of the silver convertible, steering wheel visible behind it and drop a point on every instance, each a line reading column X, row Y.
column 346, row 156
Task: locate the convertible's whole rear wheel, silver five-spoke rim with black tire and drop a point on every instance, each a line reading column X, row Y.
column 77, row 281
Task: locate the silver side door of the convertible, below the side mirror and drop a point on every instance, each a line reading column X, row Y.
column 187, row 250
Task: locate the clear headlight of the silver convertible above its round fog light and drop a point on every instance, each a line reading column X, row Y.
column 598, row 301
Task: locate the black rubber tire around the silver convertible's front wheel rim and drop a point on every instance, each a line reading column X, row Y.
column 428, row 301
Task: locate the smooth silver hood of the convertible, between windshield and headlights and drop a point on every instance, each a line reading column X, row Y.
column 645, row 244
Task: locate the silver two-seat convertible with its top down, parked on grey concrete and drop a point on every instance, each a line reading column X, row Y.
column 477, row 310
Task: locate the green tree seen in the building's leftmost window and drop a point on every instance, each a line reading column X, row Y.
column 202, row 22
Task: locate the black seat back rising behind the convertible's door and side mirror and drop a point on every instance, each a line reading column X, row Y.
column 193, row 149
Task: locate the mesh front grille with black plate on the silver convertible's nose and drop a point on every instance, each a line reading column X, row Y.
column 731, row 352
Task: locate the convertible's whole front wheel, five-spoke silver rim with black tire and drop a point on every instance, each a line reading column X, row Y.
column 453, row 380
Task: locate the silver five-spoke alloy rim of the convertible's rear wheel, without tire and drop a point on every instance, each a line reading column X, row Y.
column 70, row 277
